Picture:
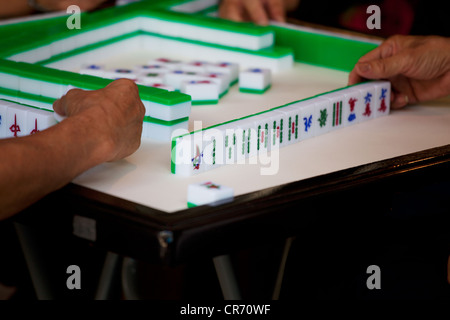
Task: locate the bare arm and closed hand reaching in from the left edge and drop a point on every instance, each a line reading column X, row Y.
column 102, row 125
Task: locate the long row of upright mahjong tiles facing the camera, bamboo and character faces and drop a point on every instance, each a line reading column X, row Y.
column 232, row 142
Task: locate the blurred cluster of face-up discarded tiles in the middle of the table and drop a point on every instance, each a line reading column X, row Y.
column 204, row 81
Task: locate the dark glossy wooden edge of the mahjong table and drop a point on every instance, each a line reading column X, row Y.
column 122, row 224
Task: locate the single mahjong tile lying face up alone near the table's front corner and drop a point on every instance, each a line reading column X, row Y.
column 208, row 192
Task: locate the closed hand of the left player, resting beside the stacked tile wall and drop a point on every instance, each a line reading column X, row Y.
column 111, row 117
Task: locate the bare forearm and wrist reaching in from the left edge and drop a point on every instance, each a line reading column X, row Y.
column 33, row 166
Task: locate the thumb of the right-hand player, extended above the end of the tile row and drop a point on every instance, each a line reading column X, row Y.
column 382, row 68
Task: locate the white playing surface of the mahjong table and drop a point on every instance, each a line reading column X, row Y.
column 145, row 176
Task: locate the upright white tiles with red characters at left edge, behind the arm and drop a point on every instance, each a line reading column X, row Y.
column 17, row 120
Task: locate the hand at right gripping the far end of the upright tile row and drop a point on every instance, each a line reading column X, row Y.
column 417, row 66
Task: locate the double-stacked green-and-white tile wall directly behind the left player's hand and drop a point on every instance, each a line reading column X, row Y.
column 39, row 86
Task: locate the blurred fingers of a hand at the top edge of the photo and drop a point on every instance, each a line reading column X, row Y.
column 257, row 11
